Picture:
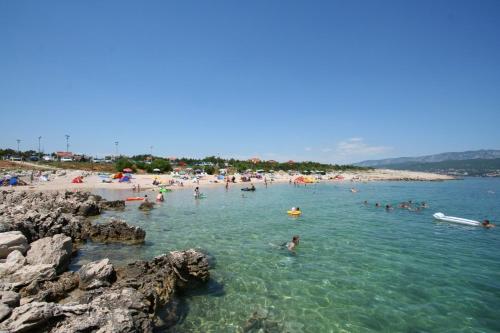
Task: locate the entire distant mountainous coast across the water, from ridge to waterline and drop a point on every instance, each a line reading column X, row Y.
column 468, row 163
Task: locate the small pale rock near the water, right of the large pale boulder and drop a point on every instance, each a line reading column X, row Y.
column 96, row 274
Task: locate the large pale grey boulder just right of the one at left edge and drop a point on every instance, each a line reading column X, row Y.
column 55, row 250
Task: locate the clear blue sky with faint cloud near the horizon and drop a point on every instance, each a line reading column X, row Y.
column 334, row 81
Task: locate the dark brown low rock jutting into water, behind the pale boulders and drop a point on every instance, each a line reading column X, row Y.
column 116, row 231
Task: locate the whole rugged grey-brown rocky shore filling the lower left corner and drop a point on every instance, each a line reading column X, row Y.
column 39, row 232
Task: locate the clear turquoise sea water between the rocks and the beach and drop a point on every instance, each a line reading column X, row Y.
column 357, row 269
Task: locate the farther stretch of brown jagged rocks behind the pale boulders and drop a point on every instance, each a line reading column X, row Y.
column 45, row 214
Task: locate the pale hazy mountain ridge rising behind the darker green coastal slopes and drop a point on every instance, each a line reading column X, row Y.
column 454, row 156
